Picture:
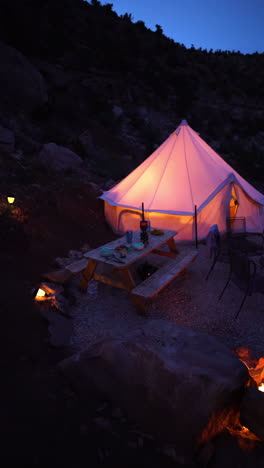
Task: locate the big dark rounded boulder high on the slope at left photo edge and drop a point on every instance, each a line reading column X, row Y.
column 21, row 85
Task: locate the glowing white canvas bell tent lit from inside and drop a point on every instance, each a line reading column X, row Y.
column 182, row 173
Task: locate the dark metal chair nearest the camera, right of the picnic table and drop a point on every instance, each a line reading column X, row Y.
column 243, row 272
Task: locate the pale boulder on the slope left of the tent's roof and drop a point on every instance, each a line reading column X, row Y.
column 59, row 158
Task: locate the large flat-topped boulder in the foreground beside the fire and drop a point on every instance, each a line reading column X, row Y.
column 178, row 384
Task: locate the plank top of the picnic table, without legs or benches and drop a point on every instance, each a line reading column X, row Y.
column 133, row 255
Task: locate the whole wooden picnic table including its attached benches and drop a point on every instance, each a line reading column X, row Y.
column 149, row 287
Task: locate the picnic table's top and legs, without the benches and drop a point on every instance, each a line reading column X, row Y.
column 126, row 281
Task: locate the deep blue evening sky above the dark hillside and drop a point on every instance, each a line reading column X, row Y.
column 235, row 25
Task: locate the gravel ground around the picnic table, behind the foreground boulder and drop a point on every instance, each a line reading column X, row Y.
column 189, row 301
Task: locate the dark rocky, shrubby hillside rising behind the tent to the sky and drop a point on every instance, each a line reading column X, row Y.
column 77, row 75
